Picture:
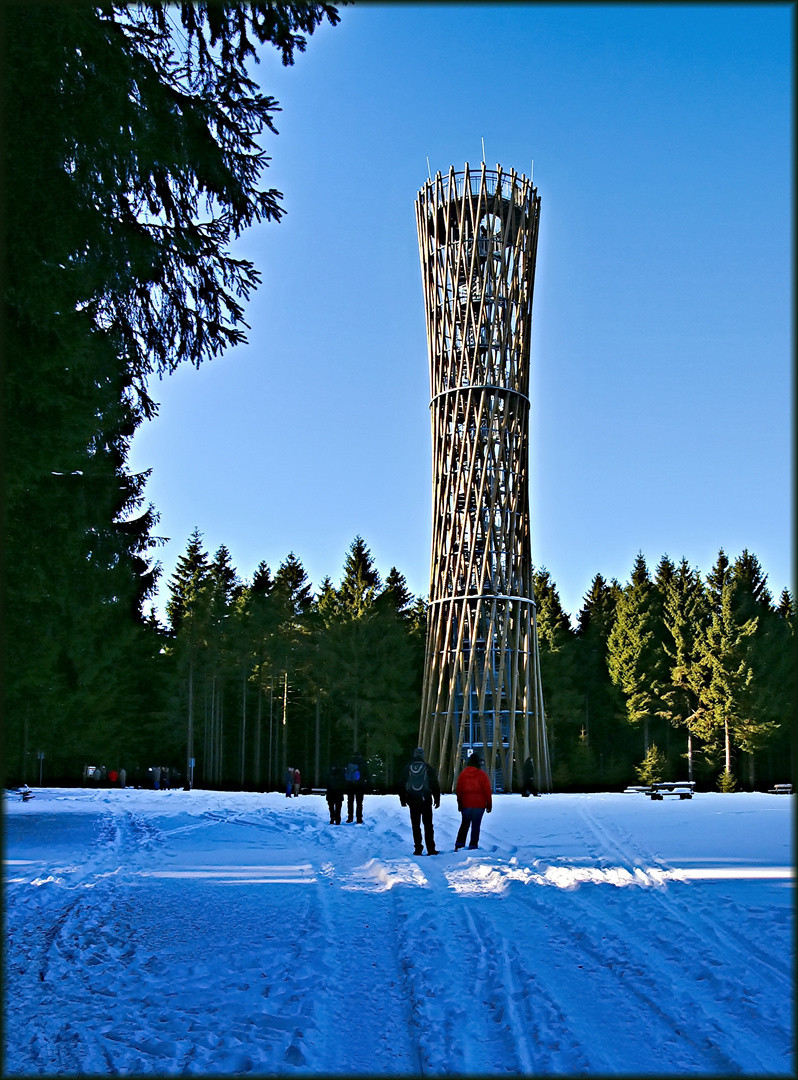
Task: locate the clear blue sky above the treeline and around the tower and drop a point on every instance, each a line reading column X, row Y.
column 661, row 417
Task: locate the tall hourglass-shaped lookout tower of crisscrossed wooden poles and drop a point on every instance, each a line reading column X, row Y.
column 478, row 240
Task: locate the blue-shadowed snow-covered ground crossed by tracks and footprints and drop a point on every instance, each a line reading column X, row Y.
column 218, row 934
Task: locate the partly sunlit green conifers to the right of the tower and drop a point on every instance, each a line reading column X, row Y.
column 672, row 676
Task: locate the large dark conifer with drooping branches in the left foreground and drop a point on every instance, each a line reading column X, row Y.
column 132, row 161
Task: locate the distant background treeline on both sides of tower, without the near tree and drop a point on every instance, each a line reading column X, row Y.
column 671, row 677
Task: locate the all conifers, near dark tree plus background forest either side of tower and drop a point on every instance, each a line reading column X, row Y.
column 132, row 163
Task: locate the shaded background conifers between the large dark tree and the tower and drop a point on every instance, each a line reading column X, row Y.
column 265, row 674
